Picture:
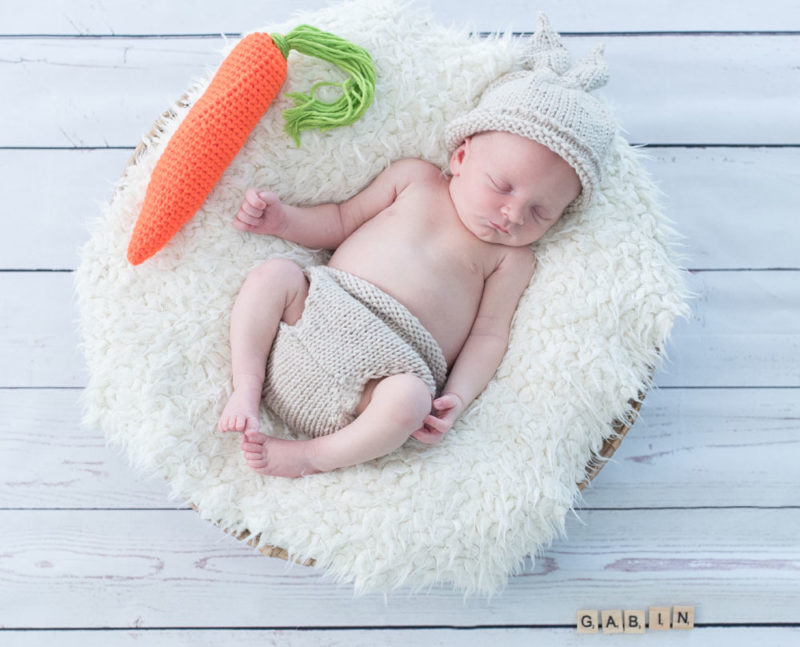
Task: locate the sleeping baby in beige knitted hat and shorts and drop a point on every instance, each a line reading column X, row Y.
column 409, row 320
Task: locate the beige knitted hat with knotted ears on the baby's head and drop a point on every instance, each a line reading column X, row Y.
column 549, row 101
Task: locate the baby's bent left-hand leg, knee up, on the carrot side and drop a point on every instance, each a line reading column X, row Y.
column 275, row 291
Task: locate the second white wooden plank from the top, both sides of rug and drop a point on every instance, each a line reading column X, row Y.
column 107, row 92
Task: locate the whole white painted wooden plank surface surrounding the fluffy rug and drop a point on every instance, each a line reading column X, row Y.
column 700, row 504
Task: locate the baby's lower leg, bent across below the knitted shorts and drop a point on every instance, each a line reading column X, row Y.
column 398, row 407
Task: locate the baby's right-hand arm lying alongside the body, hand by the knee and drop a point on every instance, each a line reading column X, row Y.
column 486, row 344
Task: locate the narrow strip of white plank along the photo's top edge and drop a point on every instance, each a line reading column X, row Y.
column 107, row 17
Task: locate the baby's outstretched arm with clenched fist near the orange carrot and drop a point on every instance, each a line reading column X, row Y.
column 325, row 226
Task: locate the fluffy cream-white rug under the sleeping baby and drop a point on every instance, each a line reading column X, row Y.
column 467, row 512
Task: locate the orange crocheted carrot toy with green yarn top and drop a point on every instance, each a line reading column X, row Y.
column 216, row 127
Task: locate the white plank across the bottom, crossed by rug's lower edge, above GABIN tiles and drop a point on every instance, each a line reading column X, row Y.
column 128, row 569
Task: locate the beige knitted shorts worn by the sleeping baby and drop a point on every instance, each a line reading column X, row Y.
column 350, row 332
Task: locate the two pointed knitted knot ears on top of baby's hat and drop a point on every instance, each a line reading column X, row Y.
column 546, row 51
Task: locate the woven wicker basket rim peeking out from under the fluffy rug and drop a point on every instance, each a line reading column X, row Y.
column 610, row 444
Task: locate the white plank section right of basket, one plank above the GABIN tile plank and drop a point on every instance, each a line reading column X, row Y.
column 695, row 448
